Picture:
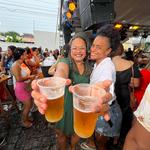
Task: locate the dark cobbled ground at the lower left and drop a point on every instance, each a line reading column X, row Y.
column 39, row 137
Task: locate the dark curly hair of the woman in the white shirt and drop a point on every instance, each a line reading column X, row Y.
column 112, row 34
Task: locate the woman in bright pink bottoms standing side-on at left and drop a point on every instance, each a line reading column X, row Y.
column 22, row 79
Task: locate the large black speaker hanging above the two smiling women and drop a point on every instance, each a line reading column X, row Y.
column 94, row 12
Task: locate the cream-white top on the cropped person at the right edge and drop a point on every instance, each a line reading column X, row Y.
column 143, row 111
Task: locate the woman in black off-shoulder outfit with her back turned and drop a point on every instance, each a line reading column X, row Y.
column 124, row 76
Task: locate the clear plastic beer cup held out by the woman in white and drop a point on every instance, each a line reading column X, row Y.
column 85, row 97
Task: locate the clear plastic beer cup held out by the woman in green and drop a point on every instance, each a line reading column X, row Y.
column 53, row 89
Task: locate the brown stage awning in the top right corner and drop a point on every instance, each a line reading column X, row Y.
column 133, row 11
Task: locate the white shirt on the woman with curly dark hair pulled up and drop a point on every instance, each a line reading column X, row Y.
column 105, row 70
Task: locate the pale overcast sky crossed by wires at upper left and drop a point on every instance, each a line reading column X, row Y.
column 24, row 16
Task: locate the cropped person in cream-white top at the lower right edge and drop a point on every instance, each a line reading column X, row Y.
column 138, row 137
